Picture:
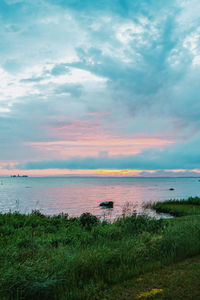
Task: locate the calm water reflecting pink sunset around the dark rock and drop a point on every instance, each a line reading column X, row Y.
column 77, row 195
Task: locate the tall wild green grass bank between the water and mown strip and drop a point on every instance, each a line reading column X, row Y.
column 77, row 258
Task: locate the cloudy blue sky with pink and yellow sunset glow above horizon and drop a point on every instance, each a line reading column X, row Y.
column 100, row 88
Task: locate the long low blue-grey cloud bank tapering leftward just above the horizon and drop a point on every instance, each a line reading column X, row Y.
column 147, row 160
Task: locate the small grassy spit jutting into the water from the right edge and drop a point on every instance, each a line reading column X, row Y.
column 178, row 208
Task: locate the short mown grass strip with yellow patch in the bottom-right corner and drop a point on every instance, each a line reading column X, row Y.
column 175, row 282
